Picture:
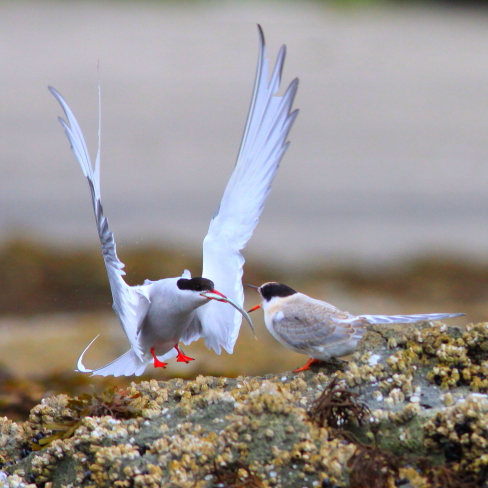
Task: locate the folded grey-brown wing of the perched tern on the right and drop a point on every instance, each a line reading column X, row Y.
column 311, row 327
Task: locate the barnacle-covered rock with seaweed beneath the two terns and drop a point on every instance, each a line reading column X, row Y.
column 409, row 408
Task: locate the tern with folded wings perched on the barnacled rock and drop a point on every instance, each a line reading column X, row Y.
column 317, row 328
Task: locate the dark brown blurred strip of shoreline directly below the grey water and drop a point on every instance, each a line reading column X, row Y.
column 37, row 278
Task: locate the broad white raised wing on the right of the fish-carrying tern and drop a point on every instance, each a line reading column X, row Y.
column 262, row 147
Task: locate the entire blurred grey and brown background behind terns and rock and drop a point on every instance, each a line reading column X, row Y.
column 380, row 204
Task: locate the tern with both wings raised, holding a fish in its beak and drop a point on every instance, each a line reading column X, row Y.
column 157, row 315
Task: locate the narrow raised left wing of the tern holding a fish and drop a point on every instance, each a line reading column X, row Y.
column 130, row 303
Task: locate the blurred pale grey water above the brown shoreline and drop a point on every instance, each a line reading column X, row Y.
column 389, row 155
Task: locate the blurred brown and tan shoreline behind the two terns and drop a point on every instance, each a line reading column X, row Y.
column 55, row 301
